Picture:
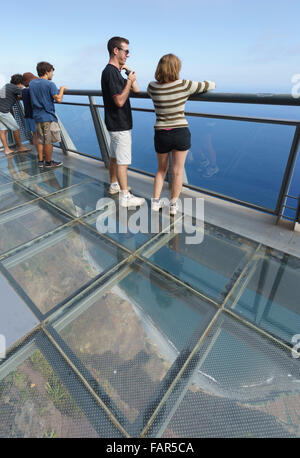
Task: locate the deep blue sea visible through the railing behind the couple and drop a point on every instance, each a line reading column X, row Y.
column 244, row 160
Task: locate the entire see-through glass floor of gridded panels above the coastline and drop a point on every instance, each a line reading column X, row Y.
column 153, row 357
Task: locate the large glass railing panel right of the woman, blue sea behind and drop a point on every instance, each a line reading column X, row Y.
column 244, row 160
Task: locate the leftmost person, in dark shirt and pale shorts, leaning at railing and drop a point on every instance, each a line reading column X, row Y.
column 9, row 94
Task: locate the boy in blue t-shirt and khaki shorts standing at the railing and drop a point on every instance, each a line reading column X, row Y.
column 43, row 92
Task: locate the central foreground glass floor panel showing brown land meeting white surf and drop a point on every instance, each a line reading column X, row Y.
column 133, row 338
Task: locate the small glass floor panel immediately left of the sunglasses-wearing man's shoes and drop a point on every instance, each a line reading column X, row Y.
column 81, row 199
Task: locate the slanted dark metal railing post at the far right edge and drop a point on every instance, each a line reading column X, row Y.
column 288, row 174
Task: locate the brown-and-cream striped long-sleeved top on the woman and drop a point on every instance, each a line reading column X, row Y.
column 169, row 100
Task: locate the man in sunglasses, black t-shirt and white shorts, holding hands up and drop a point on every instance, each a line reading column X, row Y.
column 118, row 118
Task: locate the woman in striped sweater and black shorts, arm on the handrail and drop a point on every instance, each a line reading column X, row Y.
column 169, row 94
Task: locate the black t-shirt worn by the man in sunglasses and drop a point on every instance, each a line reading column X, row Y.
column 113, row 83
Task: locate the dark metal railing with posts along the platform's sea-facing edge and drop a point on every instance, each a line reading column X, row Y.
column 260, row 99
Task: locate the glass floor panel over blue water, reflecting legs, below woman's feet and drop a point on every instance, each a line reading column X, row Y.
column 210, row 266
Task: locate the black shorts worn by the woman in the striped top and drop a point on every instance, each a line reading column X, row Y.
column 178, row 138
